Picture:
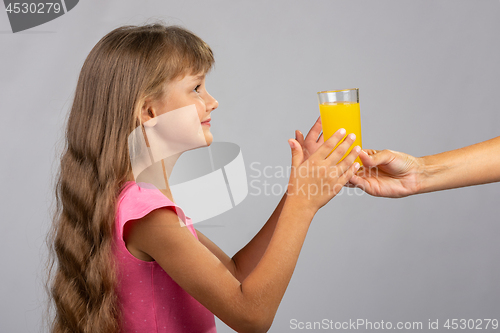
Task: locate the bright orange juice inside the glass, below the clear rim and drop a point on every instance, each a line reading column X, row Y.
column 337, row 115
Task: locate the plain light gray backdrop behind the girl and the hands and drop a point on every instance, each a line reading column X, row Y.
column 428, row 74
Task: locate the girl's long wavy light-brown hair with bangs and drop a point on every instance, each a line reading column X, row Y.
column 127, row 66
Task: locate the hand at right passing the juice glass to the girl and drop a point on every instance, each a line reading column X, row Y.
column 387, row 173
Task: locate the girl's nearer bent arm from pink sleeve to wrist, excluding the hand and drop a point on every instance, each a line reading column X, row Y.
column 247, row 306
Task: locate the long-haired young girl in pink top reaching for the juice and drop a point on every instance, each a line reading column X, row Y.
column 124, row 262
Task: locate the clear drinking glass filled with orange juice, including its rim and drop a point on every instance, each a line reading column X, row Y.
column 340, row 109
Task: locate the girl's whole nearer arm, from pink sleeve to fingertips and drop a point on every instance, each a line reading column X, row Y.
column 250, row 305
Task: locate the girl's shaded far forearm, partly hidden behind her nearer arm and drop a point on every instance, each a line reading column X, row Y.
column 249, row 256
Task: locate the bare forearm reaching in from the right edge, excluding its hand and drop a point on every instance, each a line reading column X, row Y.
column 471, row 165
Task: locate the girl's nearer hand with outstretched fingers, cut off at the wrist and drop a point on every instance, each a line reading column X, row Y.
column 315, row 181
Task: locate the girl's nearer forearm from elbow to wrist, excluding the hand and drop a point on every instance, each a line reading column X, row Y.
column 266, row 284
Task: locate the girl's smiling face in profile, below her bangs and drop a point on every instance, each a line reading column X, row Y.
column 187, row 91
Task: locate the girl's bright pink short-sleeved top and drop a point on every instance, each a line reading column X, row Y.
column 150, row 301
